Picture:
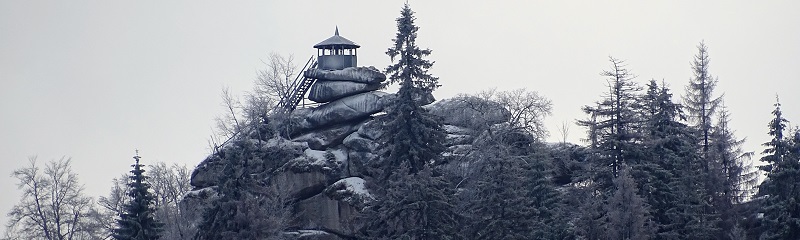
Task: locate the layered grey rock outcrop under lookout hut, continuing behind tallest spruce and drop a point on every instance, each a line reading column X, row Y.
column 321, row 167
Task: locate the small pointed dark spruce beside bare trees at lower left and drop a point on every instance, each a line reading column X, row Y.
column 137, row 221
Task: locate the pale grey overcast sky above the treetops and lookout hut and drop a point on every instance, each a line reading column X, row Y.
column 96, row 80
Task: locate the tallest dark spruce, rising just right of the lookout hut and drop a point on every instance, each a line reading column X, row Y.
column 416, row 135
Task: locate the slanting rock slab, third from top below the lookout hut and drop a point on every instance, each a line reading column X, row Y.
column 346, row 109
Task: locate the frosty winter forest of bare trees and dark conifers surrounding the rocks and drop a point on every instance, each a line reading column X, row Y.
column 655, row 163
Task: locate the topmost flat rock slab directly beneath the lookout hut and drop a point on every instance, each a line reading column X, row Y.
column 353, row 74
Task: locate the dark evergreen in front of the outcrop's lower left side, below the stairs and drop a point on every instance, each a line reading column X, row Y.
column 244, row 208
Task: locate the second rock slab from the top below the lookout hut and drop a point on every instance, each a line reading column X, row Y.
column 325, row 91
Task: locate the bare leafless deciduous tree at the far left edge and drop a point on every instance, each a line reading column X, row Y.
column 52, row 206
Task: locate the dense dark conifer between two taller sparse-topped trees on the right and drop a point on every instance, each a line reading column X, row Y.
column 671, row 174
